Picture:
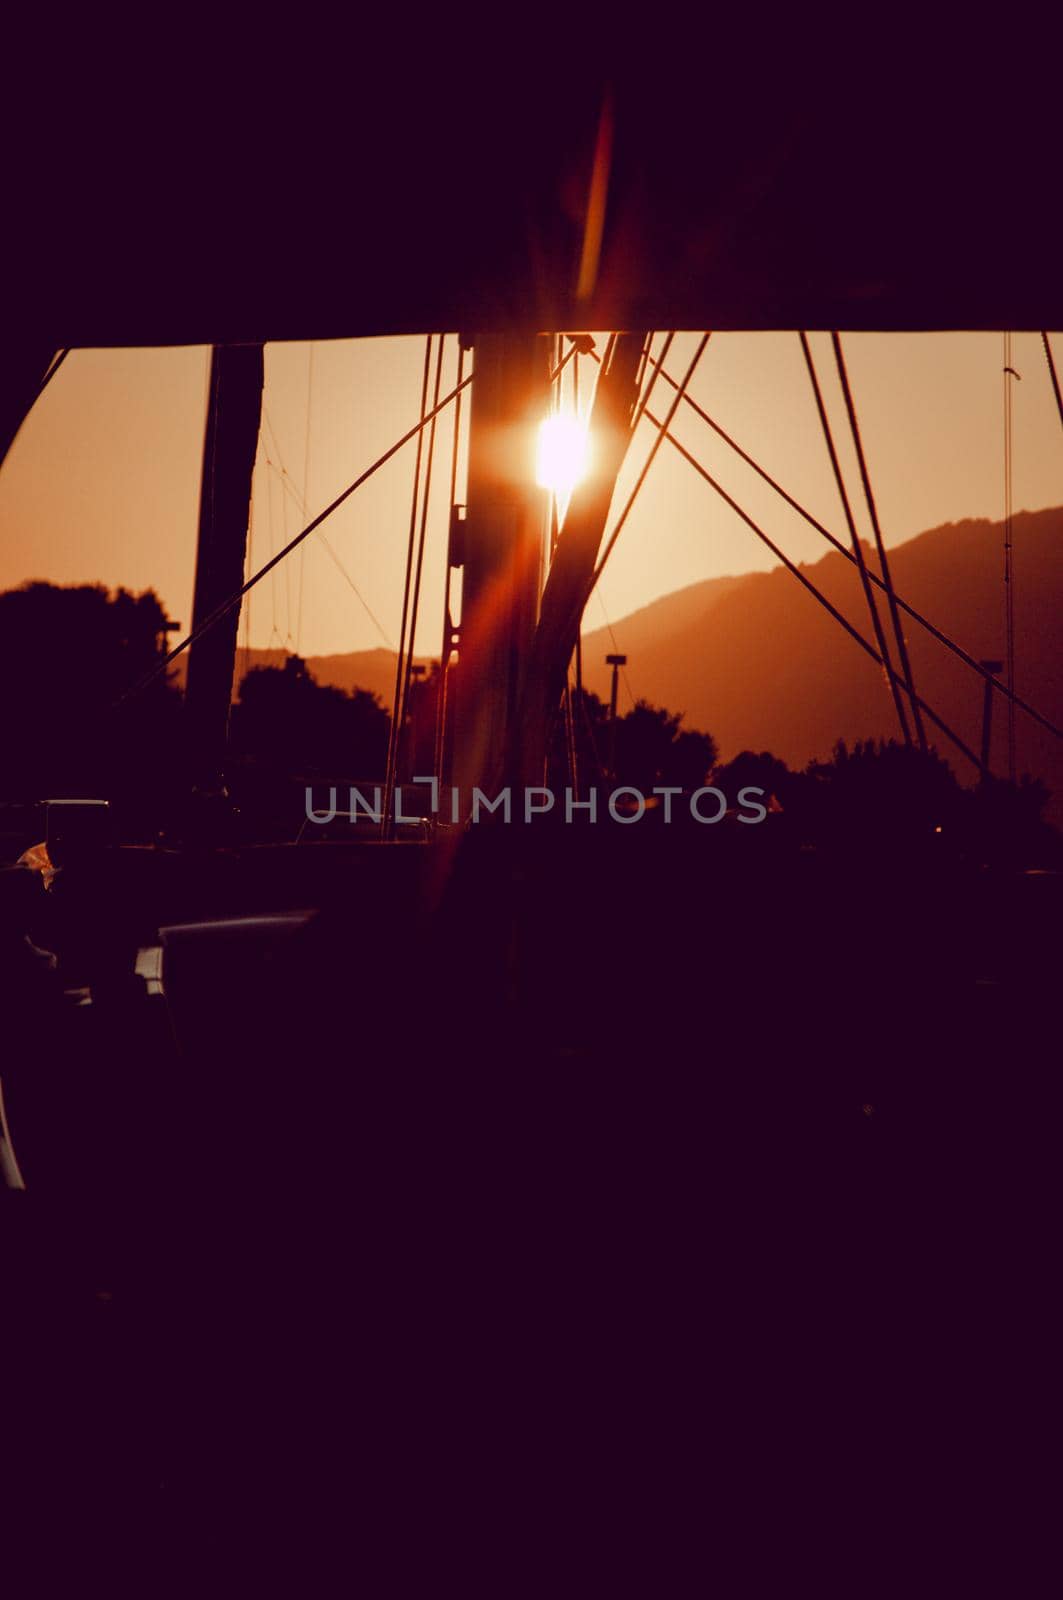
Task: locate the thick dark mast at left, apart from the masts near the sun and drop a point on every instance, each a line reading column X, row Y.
column 230, row 449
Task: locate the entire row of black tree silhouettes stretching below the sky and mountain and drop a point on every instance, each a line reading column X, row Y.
column 68, row 657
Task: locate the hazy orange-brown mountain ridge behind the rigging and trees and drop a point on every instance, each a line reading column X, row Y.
column 760, row 665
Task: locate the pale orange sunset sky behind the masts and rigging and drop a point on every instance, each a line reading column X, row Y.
column 103, row 482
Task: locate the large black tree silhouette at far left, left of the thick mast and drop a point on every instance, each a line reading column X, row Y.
column 68, row 655
